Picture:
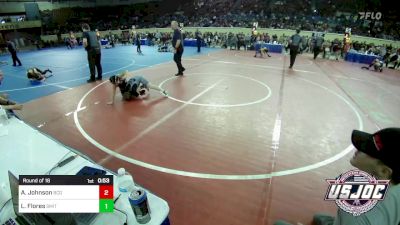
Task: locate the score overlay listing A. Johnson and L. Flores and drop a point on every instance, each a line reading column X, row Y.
column 65, row 194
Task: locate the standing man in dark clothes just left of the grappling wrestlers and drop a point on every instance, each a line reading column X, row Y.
column 92, row 47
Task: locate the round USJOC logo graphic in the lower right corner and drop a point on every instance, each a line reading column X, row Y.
column 356, row 192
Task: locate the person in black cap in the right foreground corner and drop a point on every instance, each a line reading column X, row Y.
column 376, row 154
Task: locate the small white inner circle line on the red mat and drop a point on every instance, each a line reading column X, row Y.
column 221, row 105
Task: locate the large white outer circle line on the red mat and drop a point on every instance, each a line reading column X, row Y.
column 302, row 169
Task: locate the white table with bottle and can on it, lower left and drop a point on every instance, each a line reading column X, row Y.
column 26, row 151
